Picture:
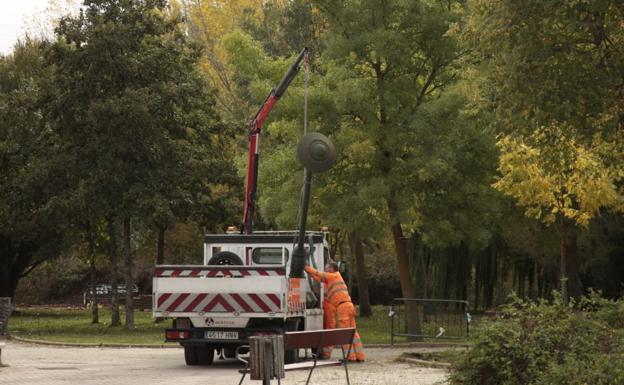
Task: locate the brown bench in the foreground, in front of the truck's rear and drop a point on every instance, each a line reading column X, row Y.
column 315, row 340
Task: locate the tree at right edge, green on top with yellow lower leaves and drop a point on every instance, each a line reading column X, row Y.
column 551, row 72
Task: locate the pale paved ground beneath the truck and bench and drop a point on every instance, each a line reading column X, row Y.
column 42, row 365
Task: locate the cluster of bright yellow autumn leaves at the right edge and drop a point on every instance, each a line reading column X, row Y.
column 553, row 176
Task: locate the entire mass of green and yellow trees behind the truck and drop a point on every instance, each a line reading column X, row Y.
column 479, row 142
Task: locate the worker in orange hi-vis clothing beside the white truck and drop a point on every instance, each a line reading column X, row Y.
column 337, row 295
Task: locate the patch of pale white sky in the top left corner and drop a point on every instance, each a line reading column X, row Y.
column 19, row 16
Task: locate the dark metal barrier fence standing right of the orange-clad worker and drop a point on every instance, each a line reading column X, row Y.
column 431, row 318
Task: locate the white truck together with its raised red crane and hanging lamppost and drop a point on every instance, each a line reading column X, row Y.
column 250, row 283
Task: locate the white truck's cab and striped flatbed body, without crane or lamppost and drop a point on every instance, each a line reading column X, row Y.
column 242, row 289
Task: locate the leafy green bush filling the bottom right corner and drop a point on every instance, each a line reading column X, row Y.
column 547, row 344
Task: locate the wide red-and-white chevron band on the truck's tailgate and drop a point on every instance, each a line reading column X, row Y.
column 219, row 303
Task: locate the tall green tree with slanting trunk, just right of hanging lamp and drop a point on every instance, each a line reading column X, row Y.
column 394, row 65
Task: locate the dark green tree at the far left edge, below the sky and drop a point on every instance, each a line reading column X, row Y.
column 32, row 219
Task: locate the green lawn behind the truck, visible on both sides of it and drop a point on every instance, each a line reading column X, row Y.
column 74, row 325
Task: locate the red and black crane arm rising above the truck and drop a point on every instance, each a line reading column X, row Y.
column 254, row 140
